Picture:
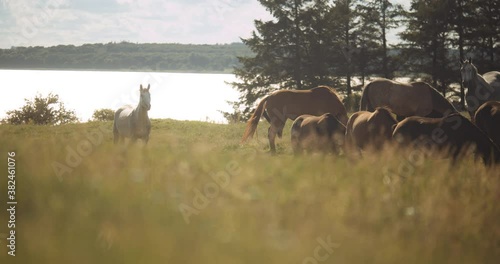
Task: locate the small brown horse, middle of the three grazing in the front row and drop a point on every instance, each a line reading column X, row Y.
column 370, row 129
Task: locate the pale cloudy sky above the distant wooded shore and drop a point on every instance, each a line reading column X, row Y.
column 53, row 22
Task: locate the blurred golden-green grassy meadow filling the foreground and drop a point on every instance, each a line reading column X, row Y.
column 195, row 195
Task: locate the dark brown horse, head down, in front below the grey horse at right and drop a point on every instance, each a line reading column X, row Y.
column 453, row 133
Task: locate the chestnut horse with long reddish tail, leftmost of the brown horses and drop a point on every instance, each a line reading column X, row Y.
column 289, row 104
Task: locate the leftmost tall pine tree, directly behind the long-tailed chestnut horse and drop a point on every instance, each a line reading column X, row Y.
column 286, row 51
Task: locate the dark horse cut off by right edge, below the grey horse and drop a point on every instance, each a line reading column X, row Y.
column 487, row 118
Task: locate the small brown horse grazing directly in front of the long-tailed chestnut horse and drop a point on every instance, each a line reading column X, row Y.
column 324, row 133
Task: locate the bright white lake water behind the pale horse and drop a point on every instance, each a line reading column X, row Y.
column 181, row 96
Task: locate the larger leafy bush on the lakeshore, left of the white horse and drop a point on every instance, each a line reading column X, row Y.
column 41, row 111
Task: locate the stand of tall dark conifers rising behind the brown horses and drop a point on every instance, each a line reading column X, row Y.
column 320, row 42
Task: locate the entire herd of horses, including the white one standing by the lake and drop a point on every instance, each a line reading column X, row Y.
column 409, row 114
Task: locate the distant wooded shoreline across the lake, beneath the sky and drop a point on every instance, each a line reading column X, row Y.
column 127, row 56
